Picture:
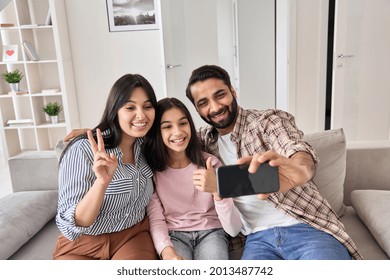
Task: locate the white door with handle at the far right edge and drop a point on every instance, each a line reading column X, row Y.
column 361, row 73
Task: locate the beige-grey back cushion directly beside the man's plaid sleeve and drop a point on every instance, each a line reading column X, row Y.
column 330, row 146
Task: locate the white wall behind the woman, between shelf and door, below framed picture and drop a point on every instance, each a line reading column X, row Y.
column 100, row 57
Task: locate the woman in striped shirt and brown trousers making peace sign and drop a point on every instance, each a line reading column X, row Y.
column 104, row 187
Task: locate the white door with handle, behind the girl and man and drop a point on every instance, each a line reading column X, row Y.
column 190, row 39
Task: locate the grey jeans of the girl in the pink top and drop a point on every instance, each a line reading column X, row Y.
column 201, row 245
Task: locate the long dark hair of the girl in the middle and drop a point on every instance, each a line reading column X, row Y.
column 154, row 149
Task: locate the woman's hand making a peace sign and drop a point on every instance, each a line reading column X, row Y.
column 104, row 165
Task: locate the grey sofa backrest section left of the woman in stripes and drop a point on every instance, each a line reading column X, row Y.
column 32, row 171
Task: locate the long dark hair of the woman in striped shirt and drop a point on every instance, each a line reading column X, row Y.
column 119, row 95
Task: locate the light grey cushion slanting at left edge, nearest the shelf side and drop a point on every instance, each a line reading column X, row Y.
column 22, row 215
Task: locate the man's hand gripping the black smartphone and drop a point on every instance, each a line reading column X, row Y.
column 293, row 172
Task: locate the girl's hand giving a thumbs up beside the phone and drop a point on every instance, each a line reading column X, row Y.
column 205, row 180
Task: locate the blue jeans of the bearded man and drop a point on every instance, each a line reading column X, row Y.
column 296, row 242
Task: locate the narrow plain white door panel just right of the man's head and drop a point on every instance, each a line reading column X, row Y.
column 256, row 53
